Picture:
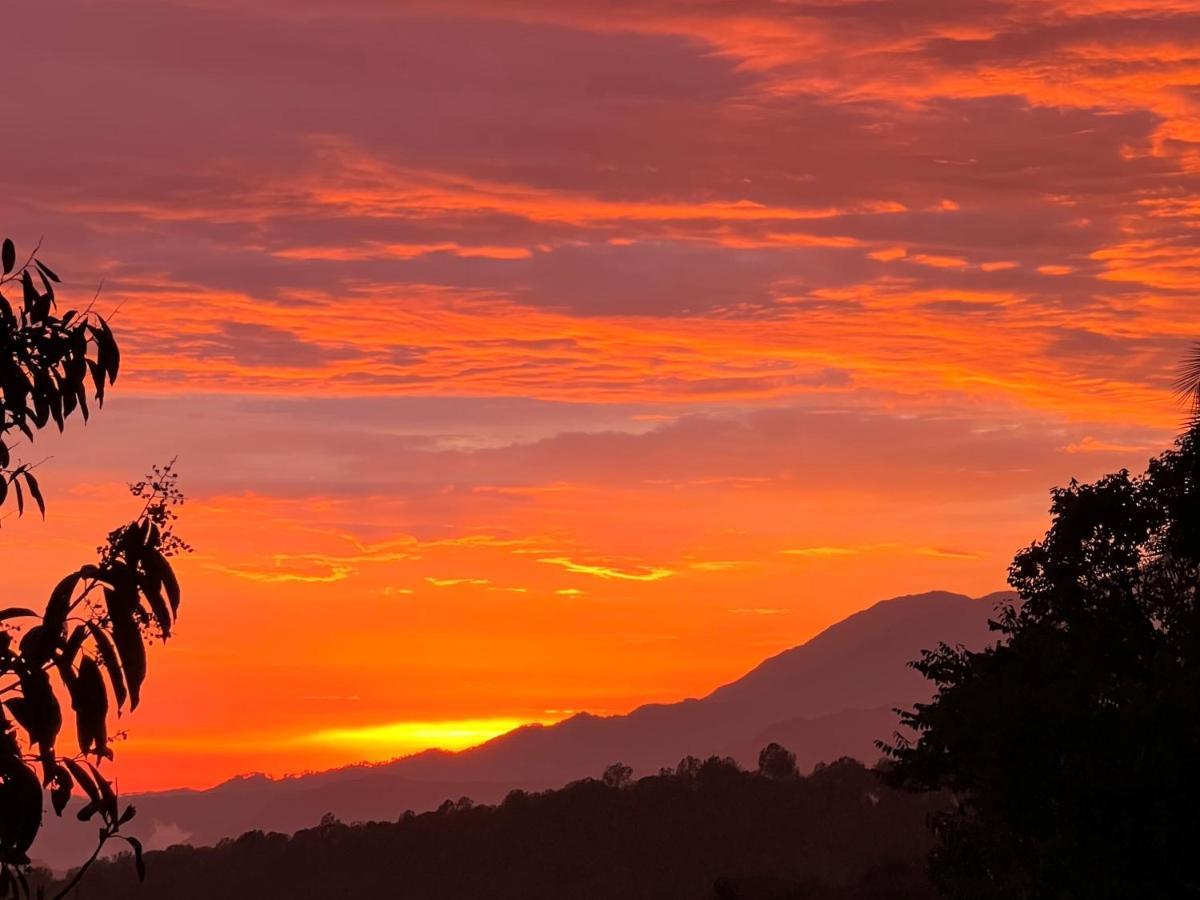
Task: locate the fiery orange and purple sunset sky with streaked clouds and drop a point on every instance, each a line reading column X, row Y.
column 553, row 356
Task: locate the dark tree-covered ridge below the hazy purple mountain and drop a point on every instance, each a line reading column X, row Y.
column 706, row 830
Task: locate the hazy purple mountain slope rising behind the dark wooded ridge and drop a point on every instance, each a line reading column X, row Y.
column 829, row 698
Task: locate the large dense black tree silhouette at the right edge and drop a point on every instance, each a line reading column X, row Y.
column 1071, row 748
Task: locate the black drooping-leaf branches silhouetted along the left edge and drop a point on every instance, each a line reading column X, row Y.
column 91, row 639
